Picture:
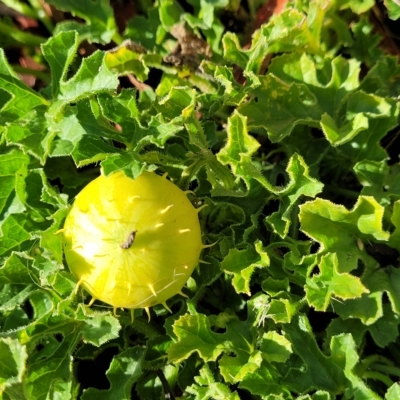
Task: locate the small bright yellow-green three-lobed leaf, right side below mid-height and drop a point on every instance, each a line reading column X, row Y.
column 329, row 282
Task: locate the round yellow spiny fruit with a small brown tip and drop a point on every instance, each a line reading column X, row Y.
column 165, row 249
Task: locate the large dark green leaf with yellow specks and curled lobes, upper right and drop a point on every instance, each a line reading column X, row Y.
column 287, row 97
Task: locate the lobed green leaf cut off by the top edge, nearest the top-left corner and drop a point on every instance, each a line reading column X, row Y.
column 98, row 14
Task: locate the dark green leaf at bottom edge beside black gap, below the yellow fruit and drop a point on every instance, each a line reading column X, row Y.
column 124, row 371
